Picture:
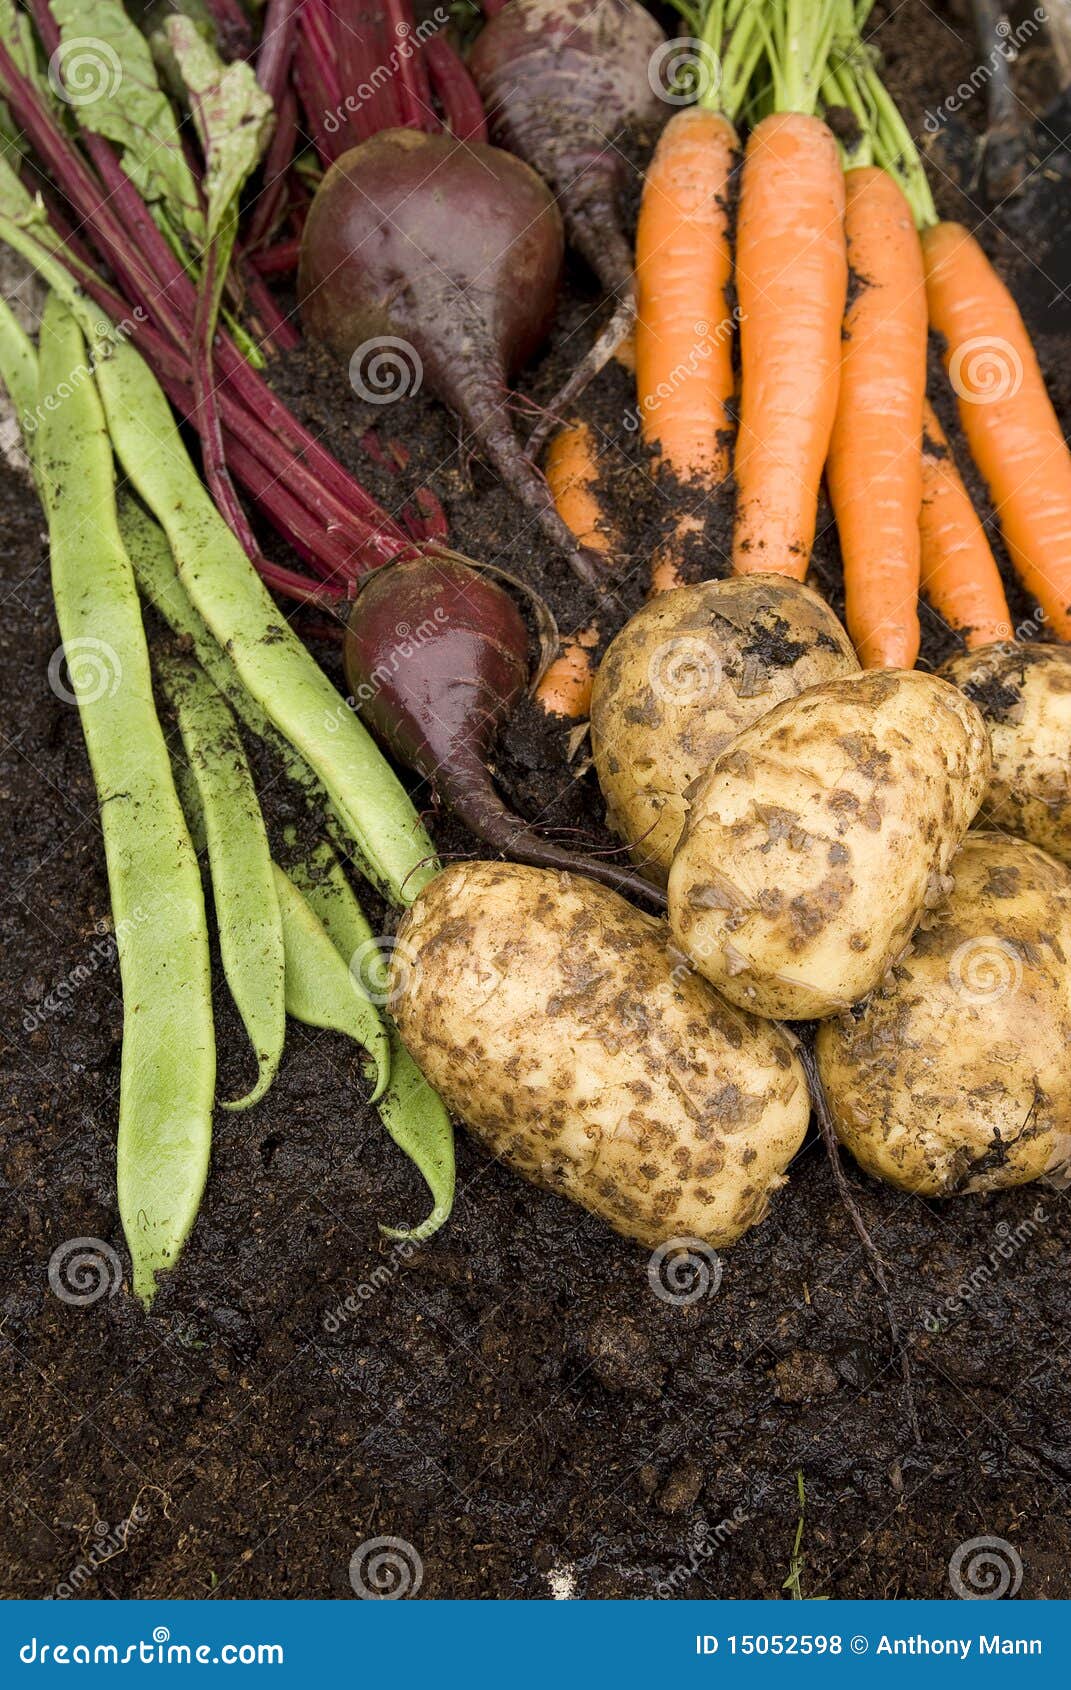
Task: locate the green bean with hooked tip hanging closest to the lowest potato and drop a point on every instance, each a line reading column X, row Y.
column 413, row 1113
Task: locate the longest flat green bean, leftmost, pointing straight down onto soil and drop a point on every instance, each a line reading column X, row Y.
column 170, row 1059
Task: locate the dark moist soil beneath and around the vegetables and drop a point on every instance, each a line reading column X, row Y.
column 513, row 1398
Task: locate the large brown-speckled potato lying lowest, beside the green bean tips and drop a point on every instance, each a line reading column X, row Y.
column 555, row 1022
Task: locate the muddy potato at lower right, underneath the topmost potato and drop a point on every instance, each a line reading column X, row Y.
column 955, row 1076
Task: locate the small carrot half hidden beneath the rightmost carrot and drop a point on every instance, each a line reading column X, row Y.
column 960, row 575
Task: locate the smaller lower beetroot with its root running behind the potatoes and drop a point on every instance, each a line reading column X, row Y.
column 437, row 658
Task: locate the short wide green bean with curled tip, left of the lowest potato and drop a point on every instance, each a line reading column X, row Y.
column 320, row 989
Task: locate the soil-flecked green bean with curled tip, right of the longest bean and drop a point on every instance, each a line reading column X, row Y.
column 241, row 863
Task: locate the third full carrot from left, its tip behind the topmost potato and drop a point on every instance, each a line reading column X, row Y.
column 874, row 471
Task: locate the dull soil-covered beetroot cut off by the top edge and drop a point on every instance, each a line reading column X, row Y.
column 563, row 82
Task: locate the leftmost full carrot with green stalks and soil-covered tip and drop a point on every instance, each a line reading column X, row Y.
column 683, row 273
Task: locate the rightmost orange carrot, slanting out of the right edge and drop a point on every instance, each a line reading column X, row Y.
column 1008, row 417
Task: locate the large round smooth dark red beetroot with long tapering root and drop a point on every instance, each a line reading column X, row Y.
column 454, row 248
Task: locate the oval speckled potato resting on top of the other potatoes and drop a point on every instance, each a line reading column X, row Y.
column 820, row 837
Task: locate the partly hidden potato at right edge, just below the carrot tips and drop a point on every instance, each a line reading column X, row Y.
column 1025, row 694
